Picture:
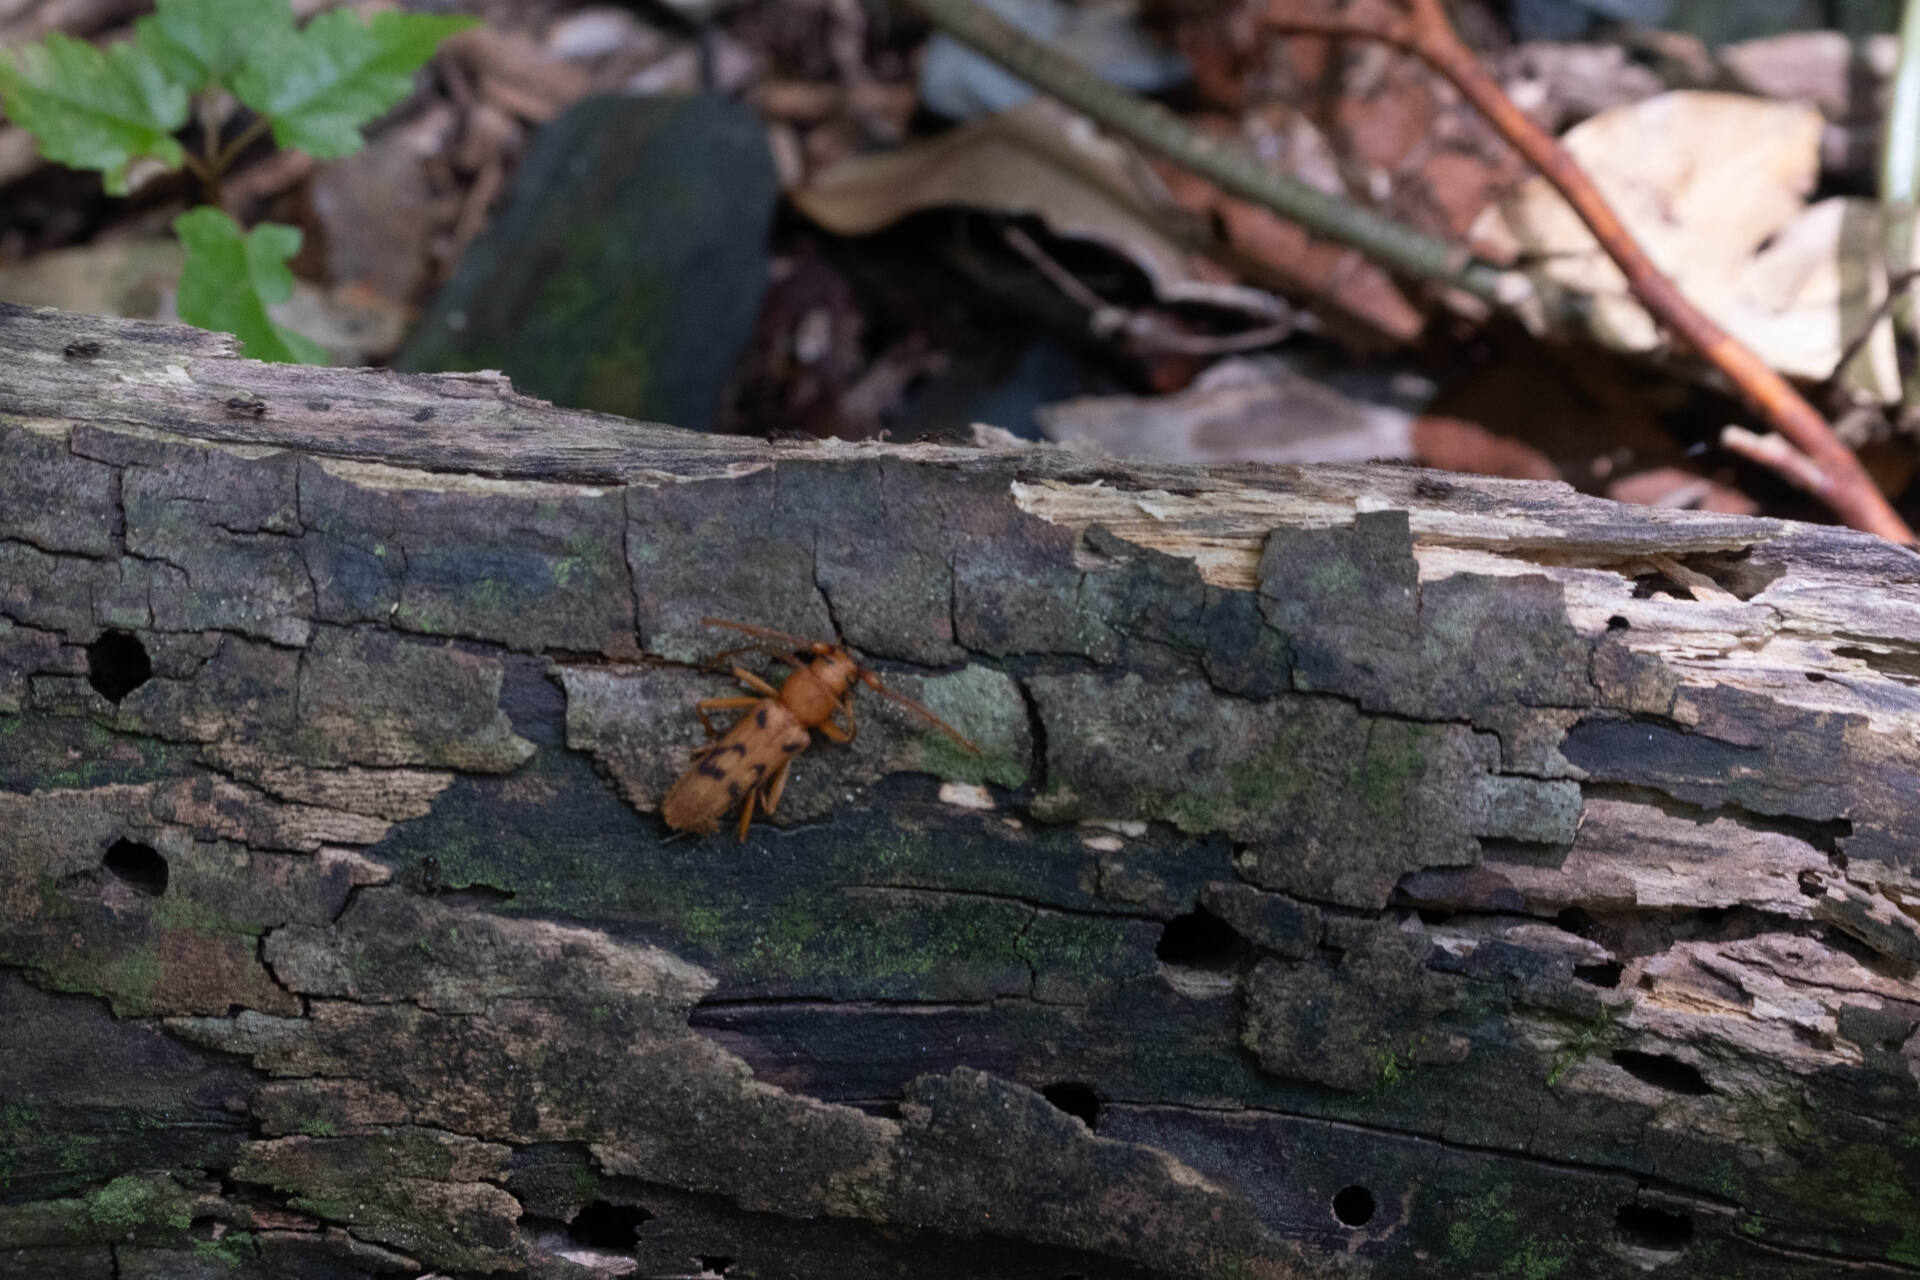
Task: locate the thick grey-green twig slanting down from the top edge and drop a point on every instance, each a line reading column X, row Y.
column 1228, row 166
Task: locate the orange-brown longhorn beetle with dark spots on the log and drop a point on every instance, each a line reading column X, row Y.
column 750, row 765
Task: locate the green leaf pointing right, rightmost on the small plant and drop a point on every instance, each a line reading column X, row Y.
column 324, row 83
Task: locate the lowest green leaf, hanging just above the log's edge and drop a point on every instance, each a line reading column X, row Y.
column 231, row 279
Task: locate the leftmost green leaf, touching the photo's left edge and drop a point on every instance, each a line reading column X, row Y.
column 93, row 108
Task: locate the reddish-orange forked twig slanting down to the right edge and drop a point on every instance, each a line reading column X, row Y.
column 1831, row 471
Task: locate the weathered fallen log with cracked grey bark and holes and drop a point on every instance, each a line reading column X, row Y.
column 1370, row 872
